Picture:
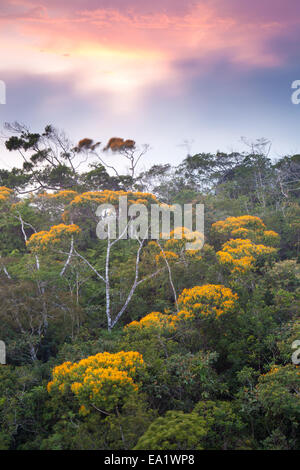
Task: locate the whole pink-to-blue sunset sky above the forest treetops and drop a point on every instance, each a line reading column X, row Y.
column 182, row 76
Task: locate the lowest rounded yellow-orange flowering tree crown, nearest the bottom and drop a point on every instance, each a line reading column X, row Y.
column 101, row 382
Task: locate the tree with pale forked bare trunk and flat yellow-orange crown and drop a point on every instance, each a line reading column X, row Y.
column 75, row 207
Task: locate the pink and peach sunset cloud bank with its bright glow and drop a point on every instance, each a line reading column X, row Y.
column 129, row 45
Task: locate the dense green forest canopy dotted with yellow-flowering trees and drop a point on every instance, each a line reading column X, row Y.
column 142, row 344
